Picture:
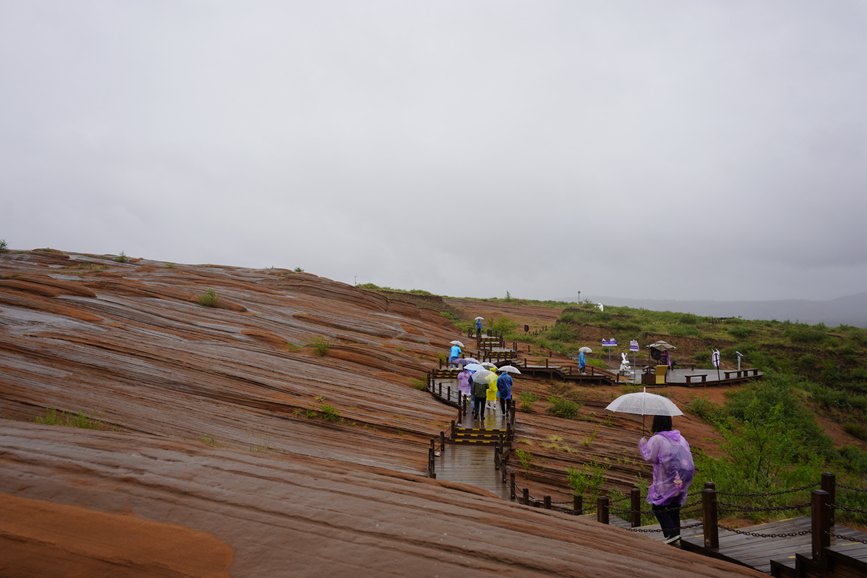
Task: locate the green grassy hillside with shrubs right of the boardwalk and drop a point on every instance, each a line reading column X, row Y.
column 771, row 429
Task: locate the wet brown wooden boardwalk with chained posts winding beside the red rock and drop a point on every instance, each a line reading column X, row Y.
column 784, row 548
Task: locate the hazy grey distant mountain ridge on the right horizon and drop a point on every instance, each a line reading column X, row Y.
column 850, row 310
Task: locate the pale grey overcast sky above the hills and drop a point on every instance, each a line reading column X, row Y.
column 694, row 149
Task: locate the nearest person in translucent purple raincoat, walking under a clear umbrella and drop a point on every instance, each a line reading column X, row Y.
column 673, row 470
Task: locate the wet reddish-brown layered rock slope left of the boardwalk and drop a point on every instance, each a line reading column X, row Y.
column 216, row 441
